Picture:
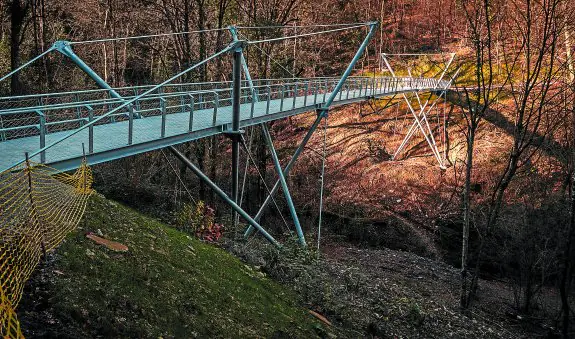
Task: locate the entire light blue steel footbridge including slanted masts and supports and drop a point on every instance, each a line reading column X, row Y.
column 67, row 130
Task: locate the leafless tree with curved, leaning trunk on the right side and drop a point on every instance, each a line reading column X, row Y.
column 530, row 70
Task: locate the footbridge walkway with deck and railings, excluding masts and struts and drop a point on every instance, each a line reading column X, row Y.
column 175, row 114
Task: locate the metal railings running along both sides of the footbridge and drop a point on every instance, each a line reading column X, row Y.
column 39, row 115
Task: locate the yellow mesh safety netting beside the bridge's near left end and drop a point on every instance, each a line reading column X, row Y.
column 38, row 207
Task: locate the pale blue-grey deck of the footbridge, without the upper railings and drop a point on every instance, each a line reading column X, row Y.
column 110, row 140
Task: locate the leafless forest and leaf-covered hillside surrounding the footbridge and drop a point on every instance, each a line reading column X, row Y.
column 481, row 245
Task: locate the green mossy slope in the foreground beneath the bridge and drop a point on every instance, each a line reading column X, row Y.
column 166, row 285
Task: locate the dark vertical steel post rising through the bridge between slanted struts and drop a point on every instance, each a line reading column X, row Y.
column 237, row 88
